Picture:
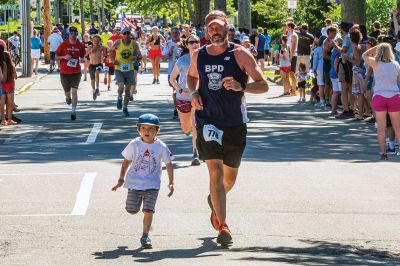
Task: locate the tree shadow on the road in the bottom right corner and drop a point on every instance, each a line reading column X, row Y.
column 321, row 253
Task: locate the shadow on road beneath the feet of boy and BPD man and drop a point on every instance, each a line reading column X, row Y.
column 207, row 245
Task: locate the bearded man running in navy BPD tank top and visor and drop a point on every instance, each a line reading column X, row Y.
column 217, row 79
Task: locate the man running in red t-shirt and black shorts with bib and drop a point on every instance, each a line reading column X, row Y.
column 70, row 53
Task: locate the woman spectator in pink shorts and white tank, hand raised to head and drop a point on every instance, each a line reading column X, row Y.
column 386, row 97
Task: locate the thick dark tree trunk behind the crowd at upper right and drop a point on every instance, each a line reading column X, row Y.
column 354, row 11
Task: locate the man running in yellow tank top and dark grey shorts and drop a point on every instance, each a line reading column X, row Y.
column 123, row 60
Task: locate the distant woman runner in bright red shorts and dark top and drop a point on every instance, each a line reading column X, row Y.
column 155, row 42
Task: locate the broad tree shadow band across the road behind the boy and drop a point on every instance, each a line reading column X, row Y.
column 278, row 132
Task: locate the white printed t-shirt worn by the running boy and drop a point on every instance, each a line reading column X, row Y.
column 146, row 167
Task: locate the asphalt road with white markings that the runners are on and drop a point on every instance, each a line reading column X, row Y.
column 310, row 190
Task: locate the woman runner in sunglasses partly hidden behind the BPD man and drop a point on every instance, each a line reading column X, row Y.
column 183, row 98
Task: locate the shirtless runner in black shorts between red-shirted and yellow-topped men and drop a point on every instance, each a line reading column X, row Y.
column 96, row 54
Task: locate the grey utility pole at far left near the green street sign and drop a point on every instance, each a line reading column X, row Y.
column 26, row 38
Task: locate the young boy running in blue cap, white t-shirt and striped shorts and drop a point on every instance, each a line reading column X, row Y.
column 144, row 155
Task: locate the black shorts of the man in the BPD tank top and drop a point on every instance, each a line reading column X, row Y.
column 231, row 150
